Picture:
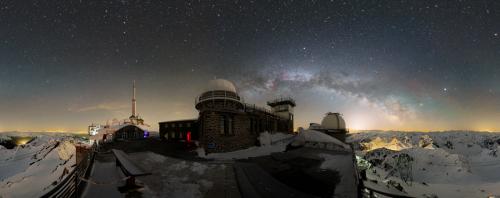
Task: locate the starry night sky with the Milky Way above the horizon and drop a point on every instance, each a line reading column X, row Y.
column 389, row 65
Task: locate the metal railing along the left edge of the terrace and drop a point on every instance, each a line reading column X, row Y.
column 72, row 185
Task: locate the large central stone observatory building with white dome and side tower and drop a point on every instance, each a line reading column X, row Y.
column 226, row 123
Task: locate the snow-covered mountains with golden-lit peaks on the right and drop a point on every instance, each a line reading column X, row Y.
column 445, row 164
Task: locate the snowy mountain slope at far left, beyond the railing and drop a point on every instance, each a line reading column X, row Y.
column 33, row 169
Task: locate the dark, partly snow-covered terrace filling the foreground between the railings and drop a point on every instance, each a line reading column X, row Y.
column 216, row 177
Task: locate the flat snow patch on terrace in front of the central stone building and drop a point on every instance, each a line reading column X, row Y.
column 179, row 178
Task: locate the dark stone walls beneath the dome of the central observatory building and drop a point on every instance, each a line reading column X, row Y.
column 243, row 134
